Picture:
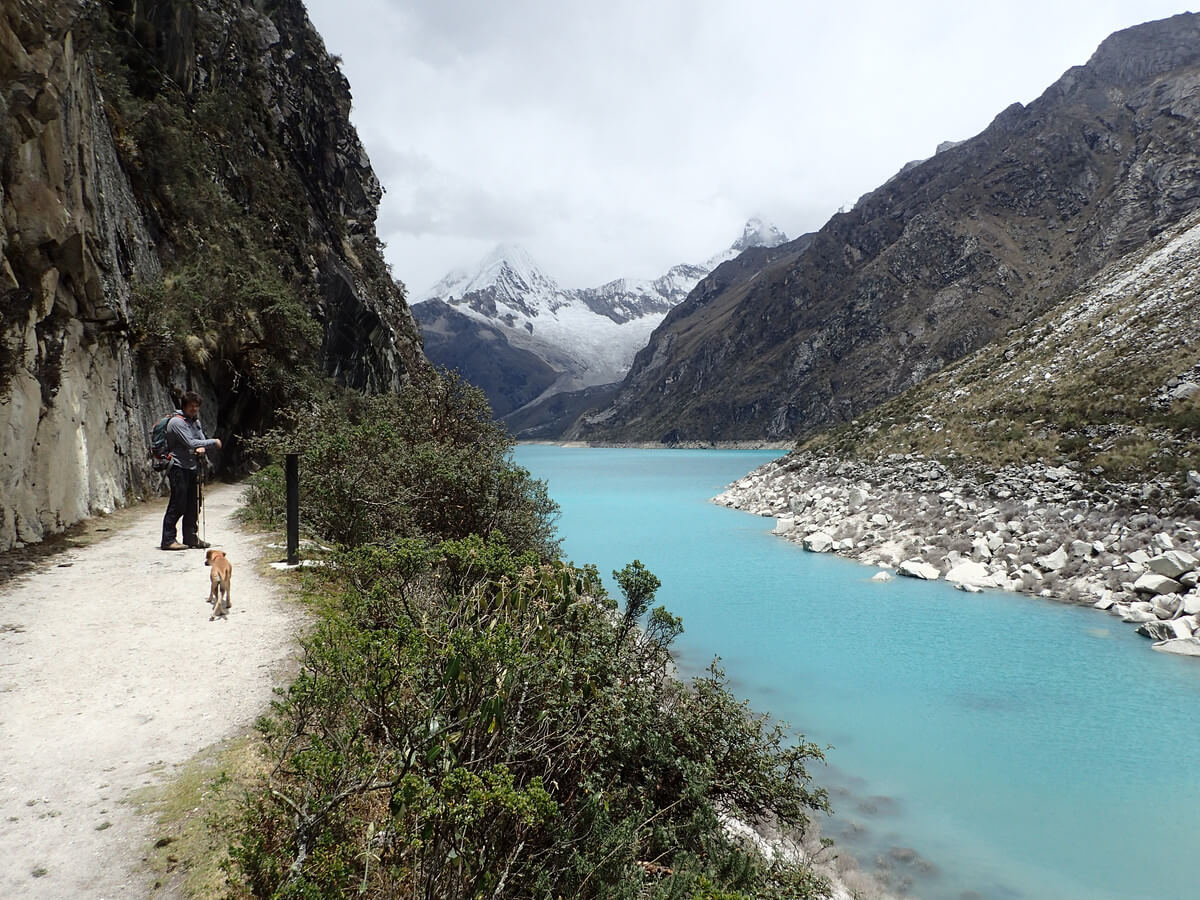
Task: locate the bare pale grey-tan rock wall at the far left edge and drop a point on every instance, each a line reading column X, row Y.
column 75, row 410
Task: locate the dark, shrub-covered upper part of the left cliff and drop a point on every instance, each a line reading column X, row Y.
column 247, row 207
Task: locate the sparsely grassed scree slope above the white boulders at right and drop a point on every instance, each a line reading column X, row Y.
column 1106, row 382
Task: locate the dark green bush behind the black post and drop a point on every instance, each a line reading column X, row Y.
column 429, row 463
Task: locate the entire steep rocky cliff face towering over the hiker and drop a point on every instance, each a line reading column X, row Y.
column 142, row 254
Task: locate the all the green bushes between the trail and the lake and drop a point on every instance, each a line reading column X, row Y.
column 476, row 717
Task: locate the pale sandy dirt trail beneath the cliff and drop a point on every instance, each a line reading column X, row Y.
column 111, row 677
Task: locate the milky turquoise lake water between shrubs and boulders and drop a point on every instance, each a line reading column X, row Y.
column 982, row 746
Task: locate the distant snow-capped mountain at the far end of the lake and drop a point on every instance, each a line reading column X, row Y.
column 511, row 329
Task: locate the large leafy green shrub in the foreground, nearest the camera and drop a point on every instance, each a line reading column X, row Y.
column 475, row 724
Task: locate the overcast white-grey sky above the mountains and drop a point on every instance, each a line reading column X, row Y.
column 620, row 137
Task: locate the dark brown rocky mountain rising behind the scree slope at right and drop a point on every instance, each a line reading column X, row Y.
column 949, row 255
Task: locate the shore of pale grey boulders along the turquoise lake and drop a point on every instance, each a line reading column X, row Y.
column 1130, row 550
